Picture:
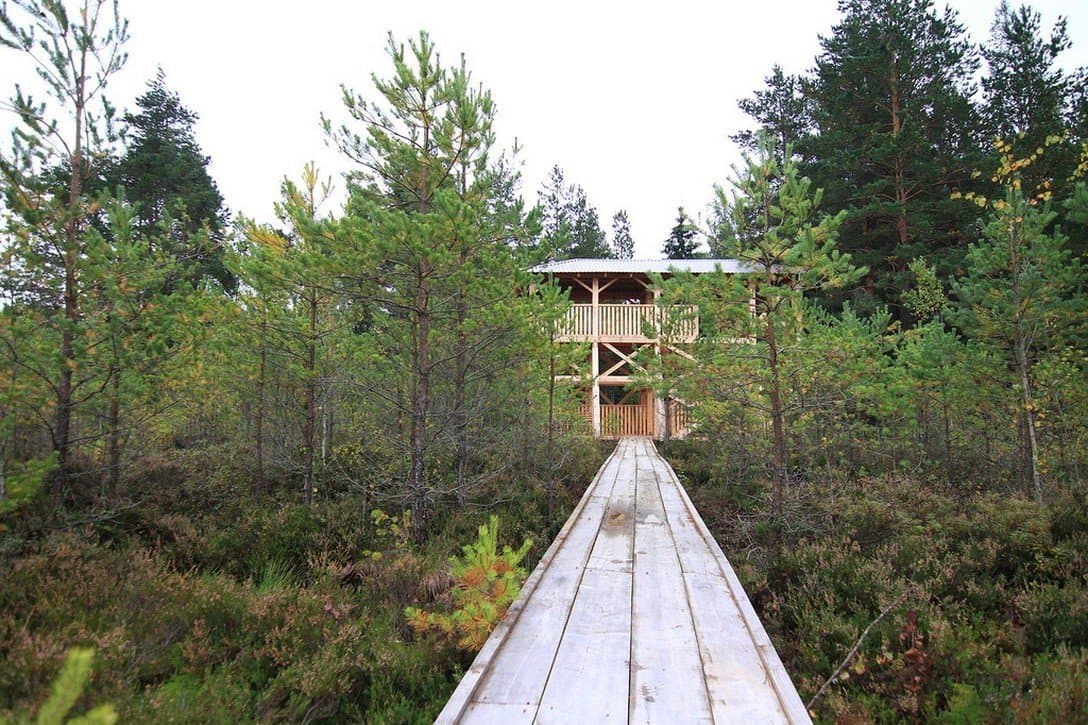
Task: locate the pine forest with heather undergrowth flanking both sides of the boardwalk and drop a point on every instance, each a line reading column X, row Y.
column 233, row 453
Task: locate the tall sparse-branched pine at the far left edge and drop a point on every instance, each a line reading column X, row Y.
column 76, row 55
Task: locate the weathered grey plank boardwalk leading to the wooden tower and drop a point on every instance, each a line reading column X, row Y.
column 633, row 616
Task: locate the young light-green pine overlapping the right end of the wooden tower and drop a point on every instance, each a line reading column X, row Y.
column 773, row 226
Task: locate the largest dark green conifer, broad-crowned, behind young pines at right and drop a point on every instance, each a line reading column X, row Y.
column 895, row 134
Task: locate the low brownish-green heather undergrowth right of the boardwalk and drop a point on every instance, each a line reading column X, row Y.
column 981, row 598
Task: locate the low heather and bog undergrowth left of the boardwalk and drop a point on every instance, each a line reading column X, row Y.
column 211, row 605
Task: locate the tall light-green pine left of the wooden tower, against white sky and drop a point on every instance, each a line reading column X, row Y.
column 432, row 263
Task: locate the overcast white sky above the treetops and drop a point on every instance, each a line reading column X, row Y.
column 636, row 102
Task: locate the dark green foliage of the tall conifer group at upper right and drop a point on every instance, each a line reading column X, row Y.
column 891, row 125
